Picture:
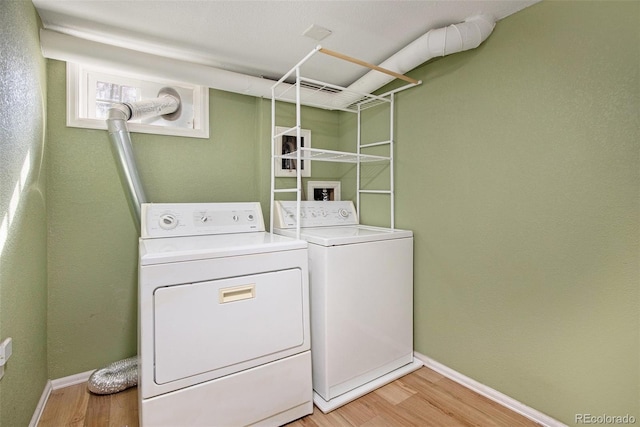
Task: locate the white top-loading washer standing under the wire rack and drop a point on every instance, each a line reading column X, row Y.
column 361, row 280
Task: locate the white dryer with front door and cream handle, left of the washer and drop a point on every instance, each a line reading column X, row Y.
column 224, row 335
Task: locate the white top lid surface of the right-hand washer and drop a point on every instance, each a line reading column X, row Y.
column 346, row 235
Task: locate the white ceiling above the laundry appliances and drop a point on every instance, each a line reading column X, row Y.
column 264, row 38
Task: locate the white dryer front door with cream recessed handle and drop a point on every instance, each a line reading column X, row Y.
column 216, row 325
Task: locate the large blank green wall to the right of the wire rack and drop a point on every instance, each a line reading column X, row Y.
column 518, row 169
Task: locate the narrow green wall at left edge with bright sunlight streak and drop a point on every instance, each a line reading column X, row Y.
column 23, row 232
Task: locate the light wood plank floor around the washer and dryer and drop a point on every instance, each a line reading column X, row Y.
column 422, row 398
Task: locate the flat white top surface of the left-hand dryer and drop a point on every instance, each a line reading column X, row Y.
column 191, row 248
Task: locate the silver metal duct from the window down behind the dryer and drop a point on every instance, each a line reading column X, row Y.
column 167, row 105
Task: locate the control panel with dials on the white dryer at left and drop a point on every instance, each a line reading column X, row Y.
column 193, row 219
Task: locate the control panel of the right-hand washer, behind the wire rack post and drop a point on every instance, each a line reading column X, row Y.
column 315, row 213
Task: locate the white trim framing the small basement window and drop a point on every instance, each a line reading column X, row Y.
column 77, row 106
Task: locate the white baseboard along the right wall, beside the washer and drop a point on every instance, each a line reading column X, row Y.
column 490, row 393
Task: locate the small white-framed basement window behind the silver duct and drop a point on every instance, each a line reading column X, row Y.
column 91, row 92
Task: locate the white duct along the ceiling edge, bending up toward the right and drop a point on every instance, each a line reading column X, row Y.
column 437, row 42
